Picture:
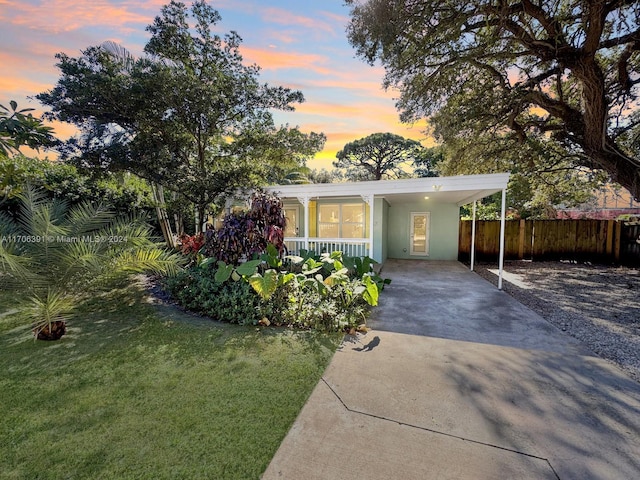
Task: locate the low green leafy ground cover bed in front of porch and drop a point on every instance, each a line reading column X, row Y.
column 329, row 292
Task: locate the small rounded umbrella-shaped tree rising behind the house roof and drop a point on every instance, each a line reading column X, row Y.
column 380, row 155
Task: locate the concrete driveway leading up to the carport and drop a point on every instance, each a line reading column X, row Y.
column 457, row 380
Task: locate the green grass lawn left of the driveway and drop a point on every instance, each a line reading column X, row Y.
column 136, row 390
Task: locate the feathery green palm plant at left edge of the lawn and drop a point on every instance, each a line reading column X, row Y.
column 51, row 253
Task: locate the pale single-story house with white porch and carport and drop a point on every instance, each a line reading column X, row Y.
column 415, row 218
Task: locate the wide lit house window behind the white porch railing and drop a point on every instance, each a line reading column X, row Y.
column 341, row 220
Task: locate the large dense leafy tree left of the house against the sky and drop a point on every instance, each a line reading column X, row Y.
column 189, row 115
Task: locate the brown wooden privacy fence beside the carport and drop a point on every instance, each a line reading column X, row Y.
column 608, row 241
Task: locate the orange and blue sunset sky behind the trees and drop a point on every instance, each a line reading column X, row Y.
column 299, row 44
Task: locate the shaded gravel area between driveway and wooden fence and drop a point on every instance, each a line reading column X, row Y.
column 599, row 305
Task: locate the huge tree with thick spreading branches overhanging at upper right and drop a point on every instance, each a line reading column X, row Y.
column 564, row 73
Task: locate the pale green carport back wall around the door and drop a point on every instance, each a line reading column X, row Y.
column 443, row 230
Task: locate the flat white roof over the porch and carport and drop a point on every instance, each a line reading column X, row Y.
column 461, row 190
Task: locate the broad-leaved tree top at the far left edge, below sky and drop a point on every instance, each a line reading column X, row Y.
column 20, row 127
